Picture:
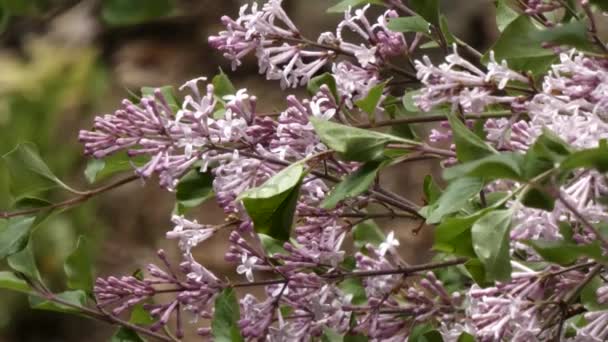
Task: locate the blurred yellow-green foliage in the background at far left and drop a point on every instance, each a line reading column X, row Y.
column 44, row 93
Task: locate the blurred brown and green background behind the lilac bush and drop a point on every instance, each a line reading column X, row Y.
column 64, row 61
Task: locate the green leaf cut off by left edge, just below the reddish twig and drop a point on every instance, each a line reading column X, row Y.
column 14, row 234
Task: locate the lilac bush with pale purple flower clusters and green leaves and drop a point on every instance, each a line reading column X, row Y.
column 520, row 227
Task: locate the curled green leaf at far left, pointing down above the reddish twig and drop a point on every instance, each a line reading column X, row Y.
column 29, row 174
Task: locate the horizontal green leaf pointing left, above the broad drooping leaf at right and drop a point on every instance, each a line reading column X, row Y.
column 497, row 166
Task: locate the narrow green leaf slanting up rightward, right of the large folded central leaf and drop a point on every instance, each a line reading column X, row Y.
column 353, row 185
